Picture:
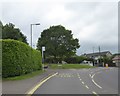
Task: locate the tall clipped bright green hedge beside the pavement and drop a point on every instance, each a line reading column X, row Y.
column 17, row 58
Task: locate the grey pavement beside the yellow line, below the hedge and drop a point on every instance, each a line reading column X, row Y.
column 23, row 86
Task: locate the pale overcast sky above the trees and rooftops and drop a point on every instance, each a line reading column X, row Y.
column 93, row 23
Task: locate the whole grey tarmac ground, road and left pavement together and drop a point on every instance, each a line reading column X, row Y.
column 67, row 81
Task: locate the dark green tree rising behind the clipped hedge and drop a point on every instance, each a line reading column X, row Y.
column 10, row 32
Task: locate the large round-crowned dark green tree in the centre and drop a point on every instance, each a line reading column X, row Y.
column 58, row 41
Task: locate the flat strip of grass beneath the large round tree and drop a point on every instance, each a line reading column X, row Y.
column 70, row 66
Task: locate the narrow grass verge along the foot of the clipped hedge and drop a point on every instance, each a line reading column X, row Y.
column 26, row 76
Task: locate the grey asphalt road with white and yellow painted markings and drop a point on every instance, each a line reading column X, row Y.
column 83, row 81
